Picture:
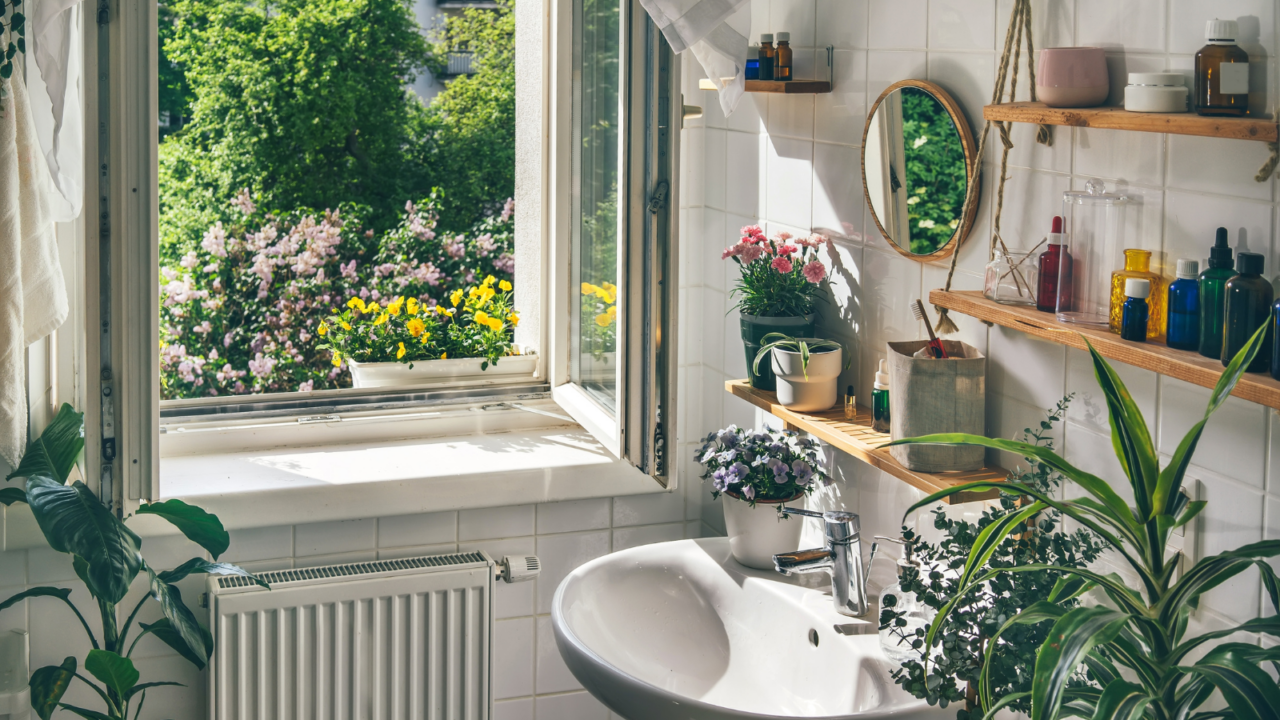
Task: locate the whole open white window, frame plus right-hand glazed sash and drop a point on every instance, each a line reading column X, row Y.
column 606, row 343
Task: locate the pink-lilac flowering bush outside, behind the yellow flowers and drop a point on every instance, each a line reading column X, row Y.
column 241, row 313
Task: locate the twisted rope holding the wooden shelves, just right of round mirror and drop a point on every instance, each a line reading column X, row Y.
column 1020, row 31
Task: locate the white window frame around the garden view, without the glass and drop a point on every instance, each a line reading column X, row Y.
column 122, row 361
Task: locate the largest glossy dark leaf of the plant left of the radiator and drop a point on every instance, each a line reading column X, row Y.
column 76, row 522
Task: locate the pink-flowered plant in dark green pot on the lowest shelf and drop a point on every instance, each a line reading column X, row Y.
column 778, row 290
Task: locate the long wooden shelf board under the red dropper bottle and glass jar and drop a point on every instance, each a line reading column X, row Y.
column 1158, row 357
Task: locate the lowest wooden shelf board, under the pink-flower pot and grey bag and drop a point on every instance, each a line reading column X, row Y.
column 860, row 440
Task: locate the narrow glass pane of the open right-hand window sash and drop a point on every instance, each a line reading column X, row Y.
column 598, row 67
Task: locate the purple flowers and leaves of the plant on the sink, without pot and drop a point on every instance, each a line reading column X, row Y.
column 758, row 466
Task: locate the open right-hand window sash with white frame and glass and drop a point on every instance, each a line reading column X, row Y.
column 614, row 148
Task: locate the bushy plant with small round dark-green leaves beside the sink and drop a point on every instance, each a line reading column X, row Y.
column 968, row 637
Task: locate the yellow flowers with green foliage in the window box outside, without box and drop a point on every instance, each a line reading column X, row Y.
column 476, row 322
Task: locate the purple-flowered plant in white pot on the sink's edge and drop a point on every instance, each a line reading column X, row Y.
column 761, row 471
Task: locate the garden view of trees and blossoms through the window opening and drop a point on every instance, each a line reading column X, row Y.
column 336, row 183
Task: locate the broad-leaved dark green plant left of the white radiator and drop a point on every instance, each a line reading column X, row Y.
column 107, row 555
